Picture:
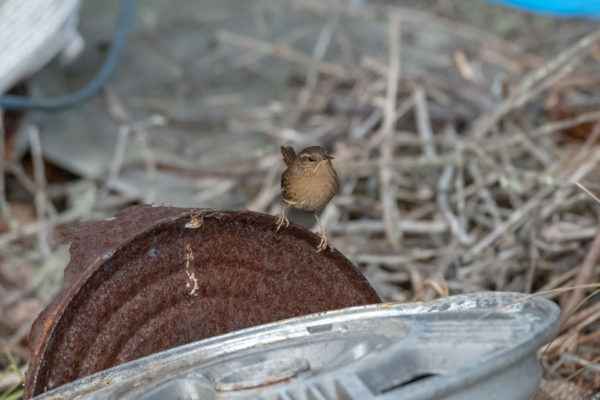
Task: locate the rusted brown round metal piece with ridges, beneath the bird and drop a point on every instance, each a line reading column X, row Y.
column 158, row 277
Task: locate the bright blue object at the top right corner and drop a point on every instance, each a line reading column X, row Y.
column 562, row 8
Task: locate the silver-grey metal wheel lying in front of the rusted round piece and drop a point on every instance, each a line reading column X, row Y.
column 461, row 347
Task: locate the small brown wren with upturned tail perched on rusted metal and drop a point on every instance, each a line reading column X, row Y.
column 308, row 184
